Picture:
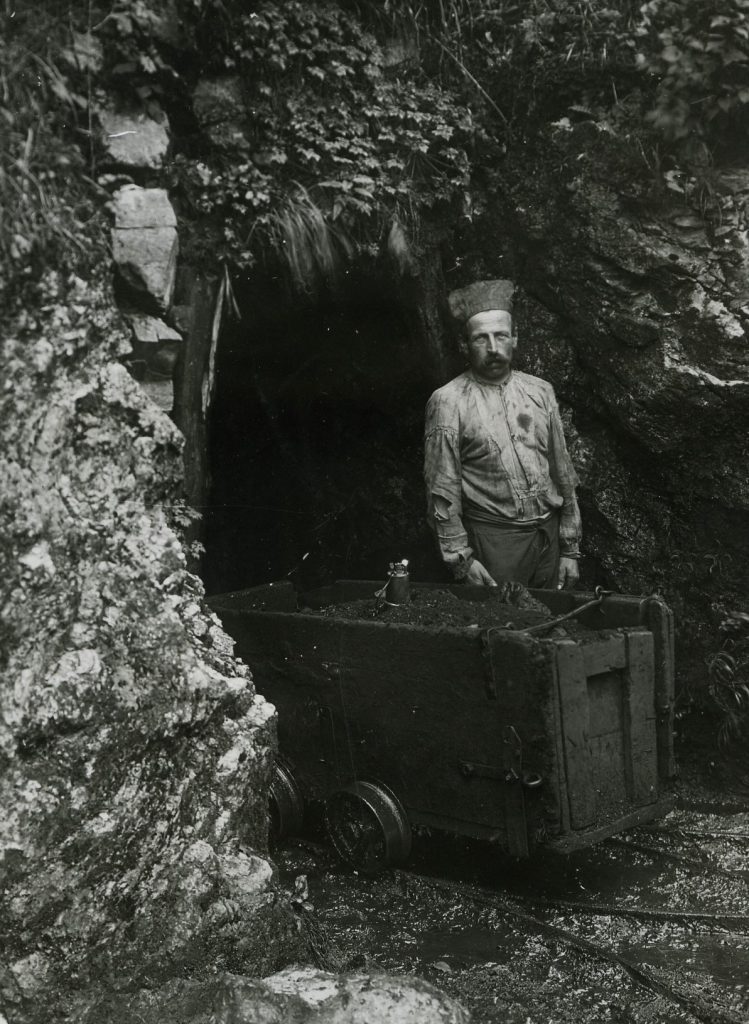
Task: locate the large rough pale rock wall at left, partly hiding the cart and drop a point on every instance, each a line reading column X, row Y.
column 136, row 753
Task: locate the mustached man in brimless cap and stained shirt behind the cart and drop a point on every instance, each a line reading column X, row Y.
column 500, row 482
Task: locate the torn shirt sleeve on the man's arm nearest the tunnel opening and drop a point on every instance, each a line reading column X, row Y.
column 443, row 479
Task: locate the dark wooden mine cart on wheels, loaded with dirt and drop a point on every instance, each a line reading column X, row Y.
column 519, row 738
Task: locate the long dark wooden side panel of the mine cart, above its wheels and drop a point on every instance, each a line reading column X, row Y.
column 412, row 707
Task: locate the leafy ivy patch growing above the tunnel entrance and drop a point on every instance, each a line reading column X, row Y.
column 327, row 126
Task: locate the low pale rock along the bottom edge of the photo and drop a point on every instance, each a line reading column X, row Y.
column 301, row 995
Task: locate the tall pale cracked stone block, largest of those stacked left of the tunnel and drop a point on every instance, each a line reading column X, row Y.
column 145, row 243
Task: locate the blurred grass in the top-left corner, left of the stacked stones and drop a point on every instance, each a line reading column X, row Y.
column 48, row 199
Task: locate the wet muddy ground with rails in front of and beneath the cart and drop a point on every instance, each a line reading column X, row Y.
column 650, row 927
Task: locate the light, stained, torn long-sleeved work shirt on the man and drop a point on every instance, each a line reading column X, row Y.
column 497, row 453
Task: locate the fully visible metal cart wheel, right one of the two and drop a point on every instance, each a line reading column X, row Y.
column 368, row 827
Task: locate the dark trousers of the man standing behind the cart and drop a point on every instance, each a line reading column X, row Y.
column 527, row 554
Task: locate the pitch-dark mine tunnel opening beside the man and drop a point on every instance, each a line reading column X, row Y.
column 316, row 438
